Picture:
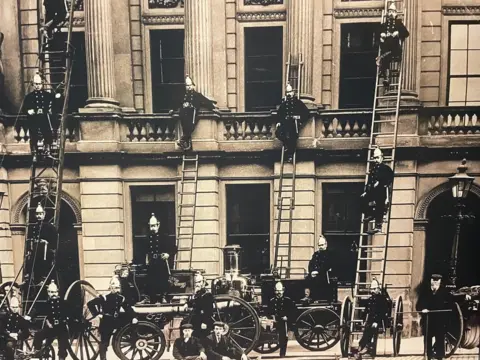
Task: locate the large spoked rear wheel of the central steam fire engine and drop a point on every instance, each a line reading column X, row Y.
column 243, row 325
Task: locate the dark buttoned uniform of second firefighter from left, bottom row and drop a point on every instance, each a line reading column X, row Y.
column 57, row 316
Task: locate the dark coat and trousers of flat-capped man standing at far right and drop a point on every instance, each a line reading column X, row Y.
column 442, row 299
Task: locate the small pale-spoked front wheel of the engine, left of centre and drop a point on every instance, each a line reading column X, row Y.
column 140, row 341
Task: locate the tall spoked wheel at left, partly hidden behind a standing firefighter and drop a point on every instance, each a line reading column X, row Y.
column 83, row 334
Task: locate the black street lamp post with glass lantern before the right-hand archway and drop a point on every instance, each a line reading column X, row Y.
column 460, row 184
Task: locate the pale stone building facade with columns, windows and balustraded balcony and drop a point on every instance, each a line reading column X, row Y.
column 122, row 162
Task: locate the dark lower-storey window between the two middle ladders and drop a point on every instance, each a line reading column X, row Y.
column 248, row 224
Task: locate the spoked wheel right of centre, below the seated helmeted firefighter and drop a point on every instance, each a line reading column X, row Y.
column 317, row 329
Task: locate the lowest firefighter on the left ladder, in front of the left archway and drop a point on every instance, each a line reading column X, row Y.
column 41, row 243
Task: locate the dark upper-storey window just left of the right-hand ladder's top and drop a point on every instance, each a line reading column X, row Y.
column 358, row 71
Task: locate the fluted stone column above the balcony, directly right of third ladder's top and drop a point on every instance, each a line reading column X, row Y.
column 300, row 41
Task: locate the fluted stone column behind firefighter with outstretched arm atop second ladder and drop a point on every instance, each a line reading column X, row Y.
column 198, row 44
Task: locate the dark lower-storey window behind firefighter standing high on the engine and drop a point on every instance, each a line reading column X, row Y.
column 159, row 200
